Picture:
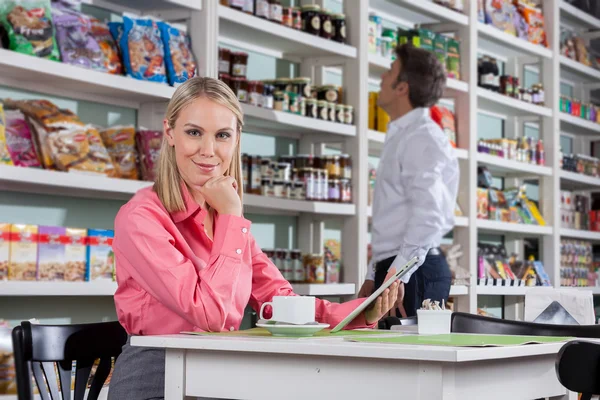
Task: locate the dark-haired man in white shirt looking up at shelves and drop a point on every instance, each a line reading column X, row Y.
column 417, row 183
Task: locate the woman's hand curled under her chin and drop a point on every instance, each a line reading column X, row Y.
column 221, row 194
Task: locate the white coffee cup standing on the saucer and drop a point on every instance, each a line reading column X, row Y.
column 291, row 309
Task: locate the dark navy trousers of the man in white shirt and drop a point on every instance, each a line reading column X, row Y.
column 431, row 280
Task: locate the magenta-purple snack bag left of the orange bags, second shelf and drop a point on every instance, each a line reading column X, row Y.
column 19, row 140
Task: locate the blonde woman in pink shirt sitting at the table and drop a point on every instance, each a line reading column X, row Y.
column 186, row 260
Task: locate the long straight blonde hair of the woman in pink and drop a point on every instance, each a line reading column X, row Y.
column 168, row 179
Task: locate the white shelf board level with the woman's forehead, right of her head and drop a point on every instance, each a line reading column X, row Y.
column 283, row 123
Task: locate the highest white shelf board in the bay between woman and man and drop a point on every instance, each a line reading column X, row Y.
column 237, row 26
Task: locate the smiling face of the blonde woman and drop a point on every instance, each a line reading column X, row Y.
column 205, row 138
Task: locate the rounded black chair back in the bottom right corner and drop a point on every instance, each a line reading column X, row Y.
column 578, row 367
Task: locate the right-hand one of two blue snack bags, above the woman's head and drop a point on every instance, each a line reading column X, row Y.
column 179, row 59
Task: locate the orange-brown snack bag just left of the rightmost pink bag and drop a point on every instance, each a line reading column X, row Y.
column 120, row 143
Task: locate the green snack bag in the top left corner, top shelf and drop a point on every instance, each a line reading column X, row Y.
column 28, row 27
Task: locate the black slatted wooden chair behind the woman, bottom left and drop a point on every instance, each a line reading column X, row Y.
column 41, row 348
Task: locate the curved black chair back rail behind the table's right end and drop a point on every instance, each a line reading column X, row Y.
column 471, row 323
